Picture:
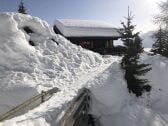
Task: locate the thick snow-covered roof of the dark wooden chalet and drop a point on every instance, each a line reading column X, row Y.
column 86, row 28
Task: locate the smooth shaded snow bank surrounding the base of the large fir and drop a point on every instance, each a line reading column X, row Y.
column 112, row 105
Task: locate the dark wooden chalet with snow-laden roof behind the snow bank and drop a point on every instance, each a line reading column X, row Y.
column 94, row 35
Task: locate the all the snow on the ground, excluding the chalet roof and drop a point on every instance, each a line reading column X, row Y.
column 52, row 61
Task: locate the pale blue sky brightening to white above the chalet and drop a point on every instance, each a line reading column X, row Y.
column 111, row 11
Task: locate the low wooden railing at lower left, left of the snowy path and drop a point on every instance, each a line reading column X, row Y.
column 43, row 96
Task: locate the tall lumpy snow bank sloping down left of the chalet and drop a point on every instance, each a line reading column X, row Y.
column 34, row 58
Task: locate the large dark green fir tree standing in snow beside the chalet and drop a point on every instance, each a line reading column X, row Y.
column 130, row 62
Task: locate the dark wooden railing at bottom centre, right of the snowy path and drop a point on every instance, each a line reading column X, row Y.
column 77, row 113
